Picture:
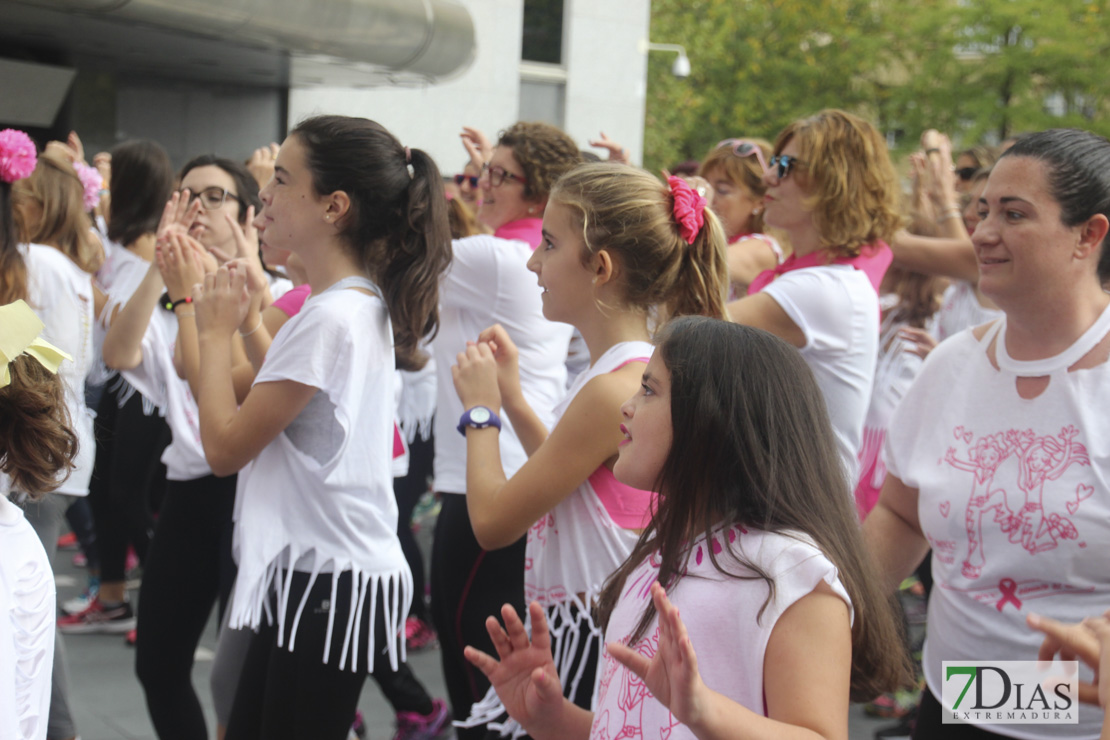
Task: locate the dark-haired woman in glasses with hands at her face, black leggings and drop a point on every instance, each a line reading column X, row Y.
column 153, row 341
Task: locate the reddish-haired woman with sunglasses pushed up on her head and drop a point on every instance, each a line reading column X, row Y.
column 735, row 170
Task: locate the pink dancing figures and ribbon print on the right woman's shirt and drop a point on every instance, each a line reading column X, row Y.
column 1041, row 524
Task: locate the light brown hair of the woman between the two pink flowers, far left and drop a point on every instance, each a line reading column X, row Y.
column 65, row 224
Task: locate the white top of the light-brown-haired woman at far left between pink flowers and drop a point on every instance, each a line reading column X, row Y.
column 60, row 293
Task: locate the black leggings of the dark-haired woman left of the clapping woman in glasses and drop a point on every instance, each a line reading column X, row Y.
column 128, row 479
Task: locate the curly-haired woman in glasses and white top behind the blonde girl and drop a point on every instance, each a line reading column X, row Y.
column 489, row 283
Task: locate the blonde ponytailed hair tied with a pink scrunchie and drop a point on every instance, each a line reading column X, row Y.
column 630, row 215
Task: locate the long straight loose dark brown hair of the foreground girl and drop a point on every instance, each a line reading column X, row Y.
column 753, row 445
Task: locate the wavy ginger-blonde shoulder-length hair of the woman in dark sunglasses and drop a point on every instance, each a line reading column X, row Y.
column 852, row 185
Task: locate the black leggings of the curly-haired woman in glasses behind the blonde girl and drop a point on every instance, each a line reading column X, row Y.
column 469, row 585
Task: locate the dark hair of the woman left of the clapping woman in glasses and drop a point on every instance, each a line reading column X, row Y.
column 142, row 184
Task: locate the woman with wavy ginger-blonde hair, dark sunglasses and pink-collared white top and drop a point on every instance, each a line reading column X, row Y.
column 833, row 190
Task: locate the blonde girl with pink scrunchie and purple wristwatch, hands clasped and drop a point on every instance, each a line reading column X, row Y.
column 621, row 252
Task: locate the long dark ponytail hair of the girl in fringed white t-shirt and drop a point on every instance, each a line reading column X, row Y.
column 398, row 222
